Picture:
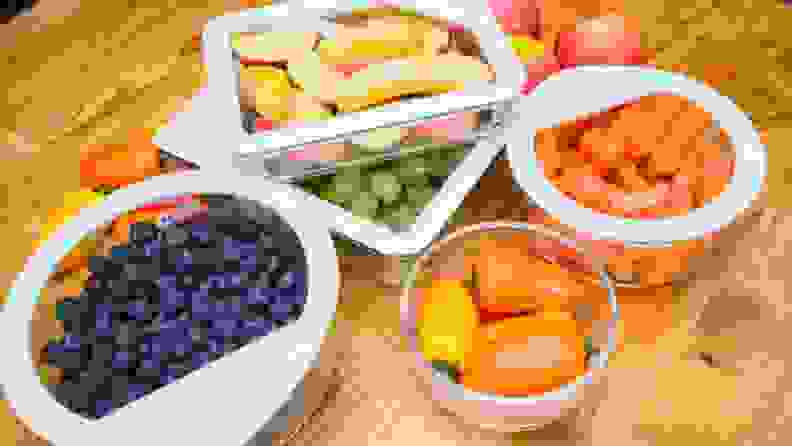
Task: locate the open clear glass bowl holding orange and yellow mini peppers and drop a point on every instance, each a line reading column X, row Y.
column 510, row 323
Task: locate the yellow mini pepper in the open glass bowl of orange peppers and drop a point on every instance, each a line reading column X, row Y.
column 447, row 321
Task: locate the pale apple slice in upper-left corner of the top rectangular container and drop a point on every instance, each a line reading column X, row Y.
column 270, row 47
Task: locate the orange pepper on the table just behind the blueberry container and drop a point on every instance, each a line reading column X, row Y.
column 120, row 165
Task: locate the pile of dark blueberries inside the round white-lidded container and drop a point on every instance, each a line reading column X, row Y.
column 172, row 300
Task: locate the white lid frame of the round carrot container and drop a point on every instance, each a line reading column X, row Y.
column 589, row 89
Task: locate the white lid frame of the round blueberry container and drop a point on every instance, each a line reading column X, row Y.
column 226, row 401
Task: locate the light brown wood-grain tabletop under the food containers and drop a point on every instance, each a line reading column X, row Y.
column 82, row 72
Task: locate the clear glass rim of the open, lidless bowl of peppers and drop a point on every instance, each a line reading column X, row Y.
column 456, row 391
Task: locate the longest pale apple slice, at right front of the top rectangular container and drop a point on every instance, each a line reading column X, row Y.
column 419, row 75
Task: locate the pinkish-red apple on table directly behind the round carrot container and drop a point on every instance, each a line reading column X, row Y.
column 608, row 40
